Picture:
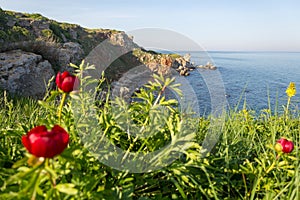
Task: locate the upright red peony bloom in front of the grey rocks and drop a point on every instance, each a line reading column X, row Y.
column 66, row 82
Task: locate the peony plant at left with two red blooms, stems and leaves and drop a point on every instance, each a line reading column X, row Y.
column 45, row 142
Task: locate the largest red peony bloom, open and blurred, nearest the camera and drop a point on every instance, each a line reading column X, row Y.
column 46, row 143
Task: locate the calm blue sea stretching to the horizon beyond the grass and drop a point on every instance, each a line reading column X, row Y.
column 253, row 77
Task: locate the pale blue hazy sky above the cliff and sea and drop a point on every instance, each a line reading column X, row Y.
column 216, row 25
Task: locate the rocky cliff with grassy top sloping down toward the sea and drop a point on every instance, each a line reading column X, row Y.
column 35, row 36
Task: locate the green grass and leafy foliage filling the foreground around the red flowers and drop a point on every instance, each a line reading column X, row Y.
column 242, row 165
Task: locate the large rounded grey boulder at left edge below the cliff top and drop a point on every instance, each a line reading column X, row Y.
column 25, row 74
